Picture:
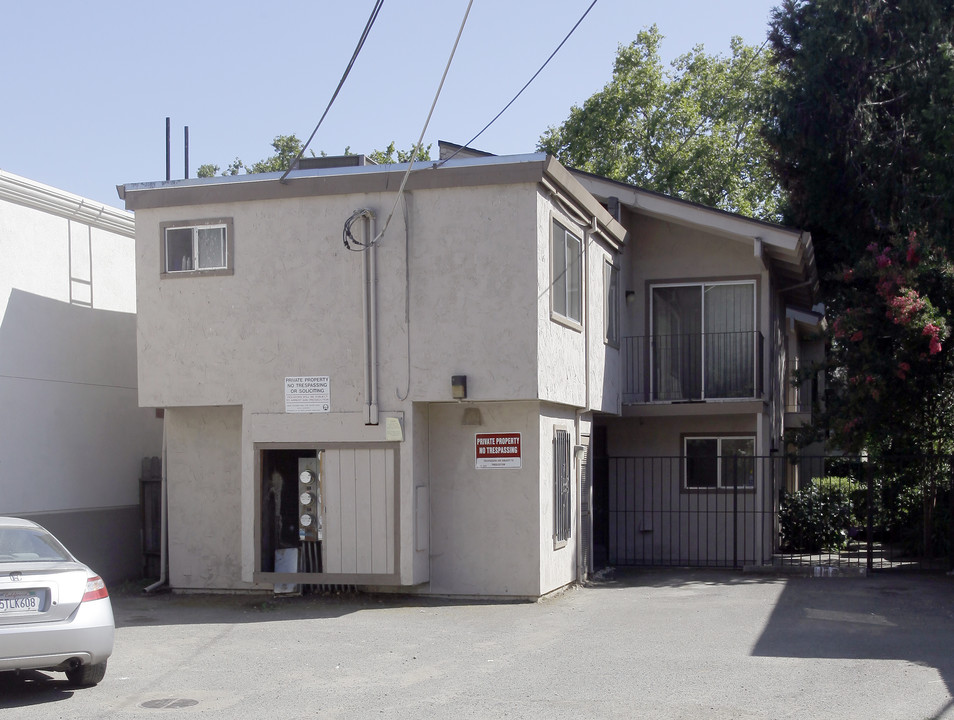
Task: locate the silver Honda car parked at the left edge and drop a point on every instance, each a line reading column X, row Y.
column 55, row 613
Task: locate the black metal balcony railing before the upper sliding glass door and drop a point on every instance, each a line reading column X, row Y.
column 692, row 368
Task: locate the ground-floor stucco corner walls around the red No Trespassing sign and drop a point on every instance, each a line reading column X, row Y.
column 492, row 529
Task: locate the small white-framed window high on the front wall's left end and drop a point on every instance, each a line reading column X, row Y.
column 202, row 247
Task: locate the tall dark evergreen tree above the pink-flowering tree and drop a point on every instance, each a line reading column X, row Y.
column 861, row 120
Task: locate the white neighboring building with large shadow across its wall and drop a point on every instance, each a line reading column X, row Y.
column 72, row 437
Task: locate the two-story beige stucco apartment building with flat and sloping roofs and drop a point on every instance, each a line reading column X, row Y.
column 401, row 392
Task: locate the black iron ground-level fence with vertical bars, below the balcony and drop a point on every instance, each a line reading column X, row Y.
column 876, row 514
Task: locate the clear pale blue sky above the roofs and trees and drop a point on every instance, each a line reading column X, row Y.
column 86, row 86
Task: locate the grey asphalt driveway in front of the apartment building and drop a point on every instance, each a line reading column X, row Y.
column 669, row 644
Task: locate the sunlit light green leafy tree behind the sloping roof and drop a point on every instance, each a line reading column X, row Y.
column 693, row 132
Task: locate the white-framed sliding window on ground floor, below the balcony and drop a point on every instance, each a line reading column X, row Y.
column 712, row 463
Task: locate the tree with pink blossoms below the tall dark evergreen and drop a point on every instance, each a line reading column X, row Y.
column 890, row 360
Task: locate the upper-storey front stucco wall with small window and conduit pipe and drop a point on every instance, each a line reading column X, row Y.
column 293, row 306
